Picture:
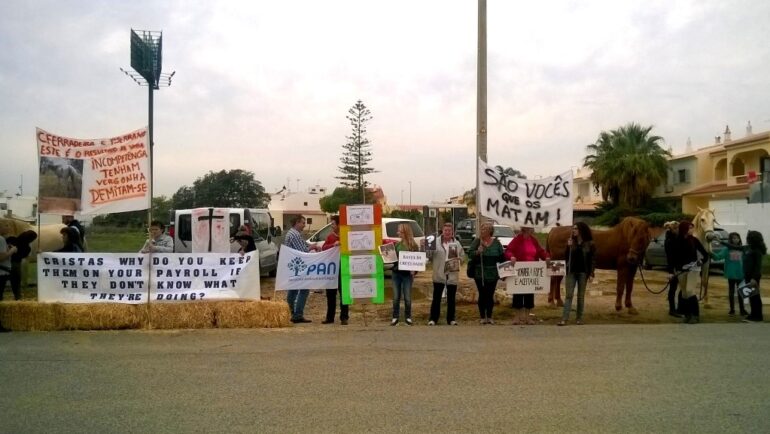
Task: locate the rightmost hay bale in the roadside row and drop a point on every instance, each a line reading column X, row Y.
column 252, row 314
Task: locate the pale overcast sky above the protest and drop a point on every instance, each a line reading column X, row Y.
column 265, row 85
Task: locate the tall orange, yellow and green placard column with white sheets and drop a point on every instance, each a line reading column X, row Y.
column 361, row 268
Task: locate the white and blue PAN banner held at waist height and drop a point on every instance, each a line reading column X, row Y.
column 300, row 270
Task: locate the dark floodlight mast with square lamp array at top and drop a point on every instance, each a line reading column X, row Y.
column 147, row 62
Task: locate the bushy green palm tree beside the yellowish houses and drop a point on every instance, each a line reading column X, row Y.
column 628, row 164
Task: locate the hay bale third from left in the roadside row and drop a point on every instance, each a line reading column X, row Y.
column 196, row 315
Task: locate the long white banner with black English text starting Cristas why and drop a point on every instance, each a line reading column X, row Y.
column 134, row 278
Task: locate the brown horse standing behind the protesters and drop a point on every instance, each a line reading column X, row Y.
column 620, row 248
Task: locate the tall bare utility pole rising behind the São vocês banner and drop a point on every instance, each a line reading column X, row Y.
column 481, row 105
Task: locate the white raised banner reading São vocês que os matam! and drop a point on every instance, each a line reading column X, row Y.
column 538, row 203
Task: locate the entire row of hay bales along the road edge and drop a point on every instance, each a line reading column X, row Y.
column 34, row 316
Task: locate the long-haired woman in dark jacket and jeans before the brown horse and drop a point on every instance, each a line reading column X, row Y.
column 580, row 266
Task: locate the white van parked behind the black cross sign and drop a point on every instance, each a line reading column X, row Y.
column 260, row 222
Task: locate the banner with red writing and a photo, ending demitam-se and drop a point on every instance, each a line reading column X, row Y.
column 93, row 176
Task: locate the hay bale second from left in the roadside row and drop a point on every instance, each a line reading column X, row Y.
column 100, row 316
